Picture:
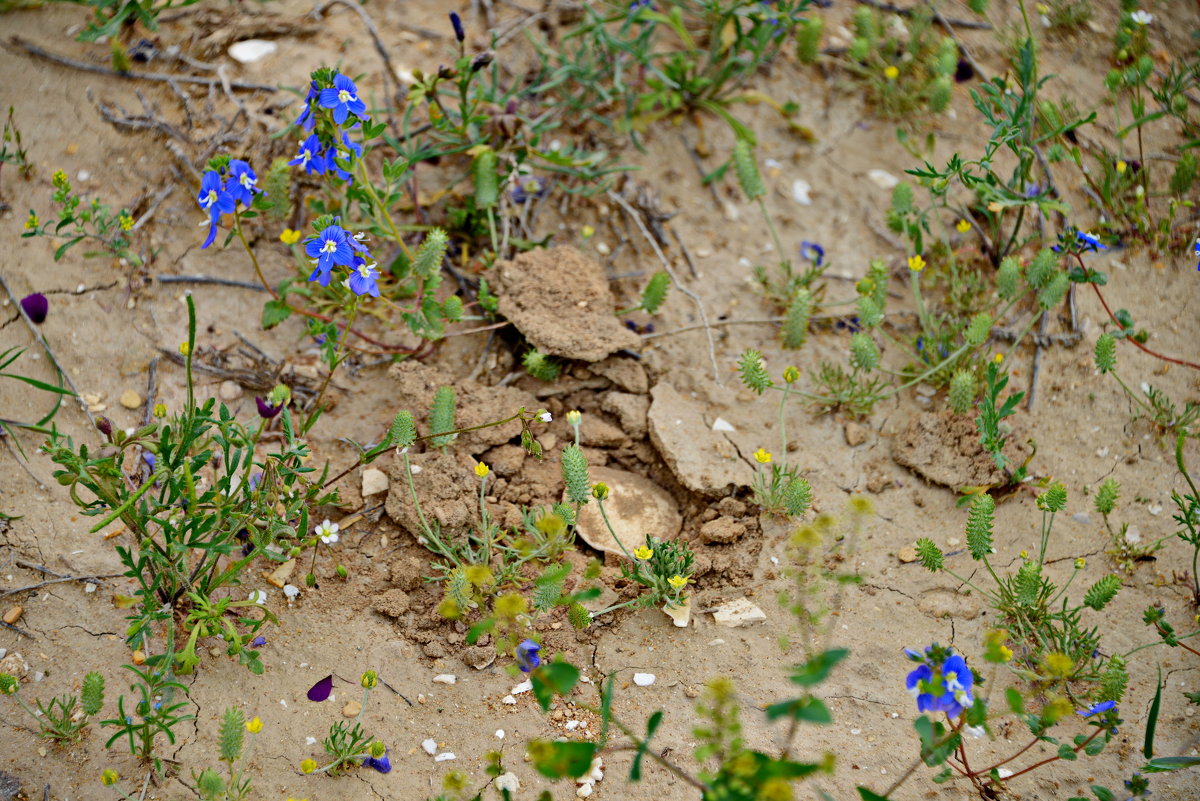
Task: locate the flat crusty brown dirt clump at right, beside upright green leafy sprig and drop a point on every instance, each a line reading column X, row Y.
column 944, row 448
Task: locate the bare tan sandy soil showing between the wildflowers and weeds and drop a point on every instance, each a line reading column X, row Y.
column 109, row 322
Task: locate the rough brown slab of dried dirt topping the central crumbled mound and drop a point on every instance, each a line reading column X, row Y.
column 561, row 302
